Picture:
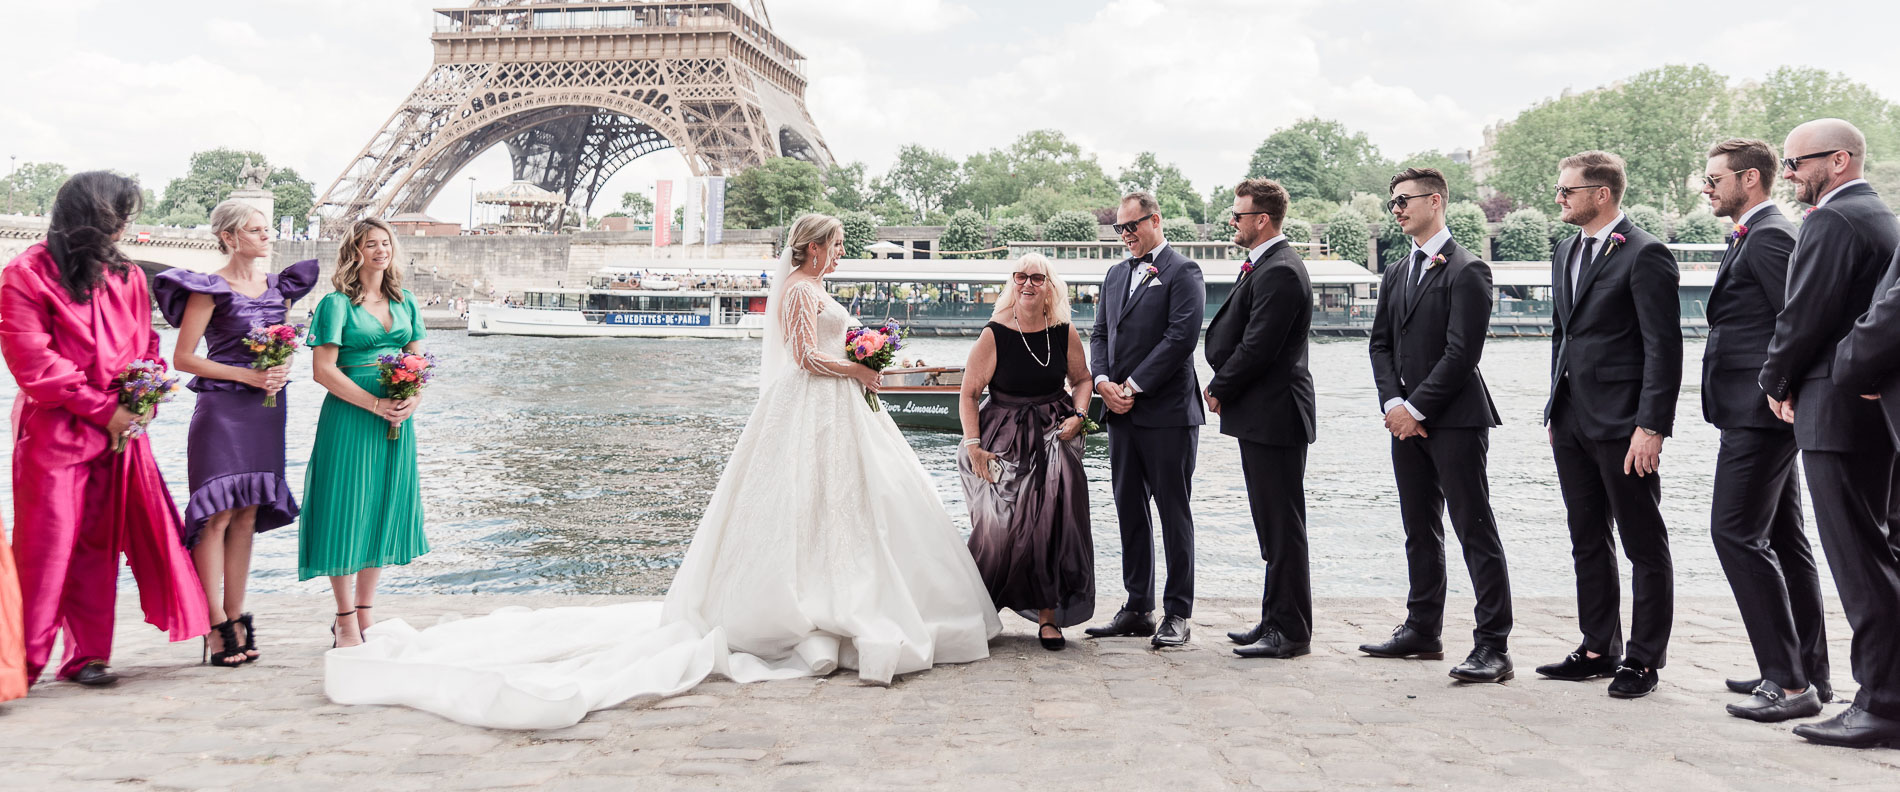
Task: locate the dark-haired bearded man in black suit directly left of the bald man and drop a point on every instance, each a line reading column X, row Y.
column 1757, row 510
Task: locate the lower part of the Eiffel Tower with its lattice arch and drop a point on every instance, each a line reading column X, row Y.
column 579, row 90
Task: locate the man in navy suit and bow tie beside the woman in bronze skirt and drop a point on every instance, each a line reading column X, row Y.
column 1143, row 360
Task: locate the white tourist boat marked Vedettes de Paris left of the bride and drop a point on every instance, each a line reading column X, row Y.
column 618, row 303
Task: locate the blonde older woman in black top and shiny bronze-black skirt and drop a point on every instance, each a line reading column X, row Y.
column 1021, row 457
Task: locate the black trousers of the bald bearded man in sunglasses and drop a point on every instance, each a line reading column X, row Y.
column 1852, row 516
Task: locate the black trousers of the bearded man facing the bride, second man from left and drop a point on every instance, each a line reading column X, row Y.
column 1276, row 493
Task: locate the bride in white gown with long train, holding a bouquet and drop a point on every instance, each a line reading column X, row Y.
column 824, row 548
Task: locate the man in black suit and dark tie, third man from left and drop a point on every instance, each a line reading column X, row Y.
column 1428, row 337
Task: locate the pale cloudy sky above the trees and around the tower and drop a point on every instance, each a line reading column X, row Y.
column 140, row 86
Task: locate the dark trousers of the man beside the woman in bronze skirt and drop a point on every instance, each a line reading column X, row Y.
column 1154, row 462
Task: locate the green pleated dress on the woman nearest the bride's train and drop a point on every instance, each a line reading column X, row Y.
column 362, row 493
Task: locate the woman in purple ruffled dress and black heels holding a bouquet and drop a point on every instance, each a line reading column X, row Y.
column 237, row 443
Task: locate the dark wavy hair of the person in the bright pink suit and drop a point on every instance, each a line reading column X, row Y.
column 88, row 216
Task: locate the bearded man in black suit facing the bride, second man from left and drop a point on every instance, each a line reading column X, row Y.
column 1264, row 396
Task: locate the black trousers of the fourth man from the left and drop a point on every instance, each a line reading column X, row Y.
column 1606, row 504
